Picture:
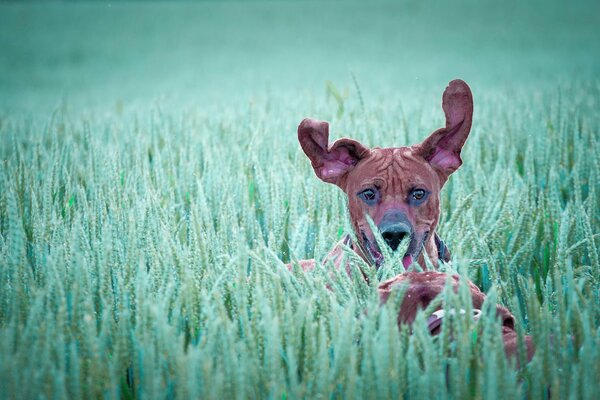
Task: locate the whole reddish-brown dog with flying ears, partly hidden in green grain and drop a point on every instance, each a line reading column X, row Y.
column 398, row 189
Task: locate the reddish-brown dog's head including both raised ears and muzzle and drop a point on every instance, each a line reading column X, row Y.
column 397, row 187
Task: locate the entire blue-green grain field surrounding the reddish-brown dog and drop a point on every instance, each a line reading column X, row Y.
column 152, row 189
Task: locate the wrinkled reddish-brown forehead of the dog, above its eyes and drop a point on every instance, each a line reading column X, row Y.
column 397, row 167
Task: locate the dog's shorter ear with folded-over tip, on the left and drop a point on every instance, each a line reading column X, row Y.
column 330, row 163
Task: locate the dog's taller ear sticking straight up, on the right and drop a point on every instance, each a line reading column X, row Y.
column 442, row 148
